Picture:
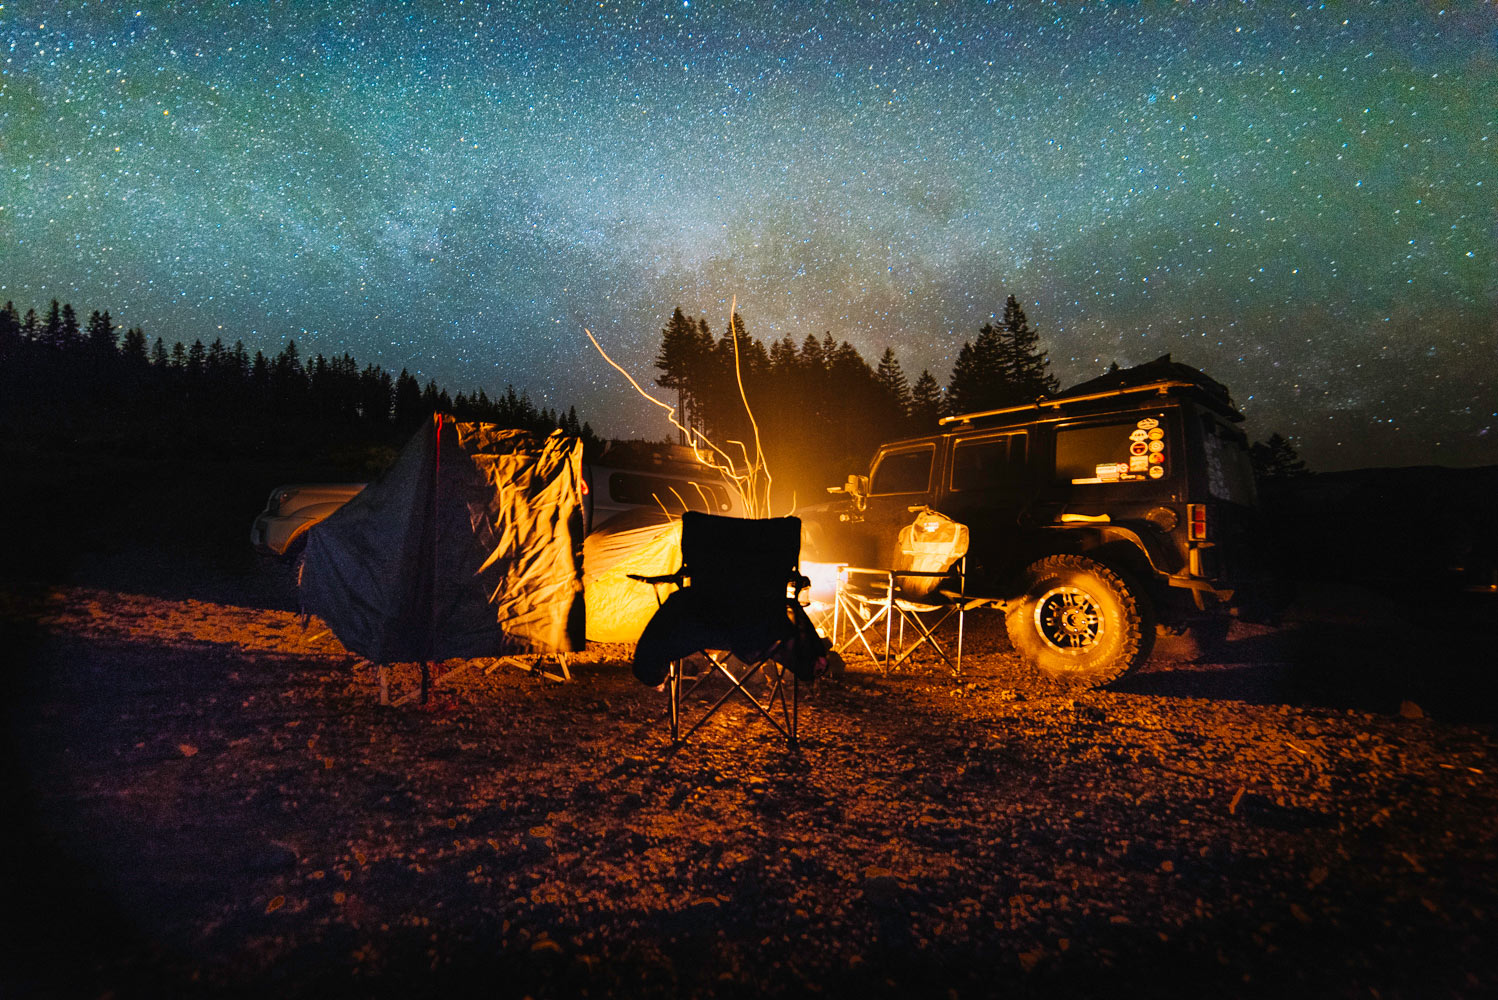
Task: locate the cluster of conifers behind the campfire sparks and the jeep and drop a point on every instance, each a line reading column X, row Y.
column 822, row 408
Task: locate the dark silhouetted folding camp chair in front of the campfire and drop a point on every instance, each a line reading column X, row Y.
column 733, row 604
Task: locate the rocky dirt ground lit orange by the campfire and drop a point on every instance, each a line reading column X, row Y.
column 212, row 802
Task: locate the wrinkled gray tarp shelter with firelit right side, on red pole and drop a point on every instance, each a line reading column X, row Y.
column 470, row 546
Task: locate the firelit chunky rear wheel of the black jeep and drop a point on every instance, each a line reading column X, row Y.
column 1081, row 622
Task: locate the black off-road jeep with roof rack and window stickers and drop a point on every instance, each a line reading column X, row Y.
column 1094, row 516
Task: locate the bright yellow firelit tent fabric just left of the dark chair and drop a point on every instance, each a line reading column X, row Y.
column 646, row 543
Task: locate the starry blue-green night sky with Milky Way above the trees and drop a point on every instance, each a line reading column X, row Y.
column 1297, row 198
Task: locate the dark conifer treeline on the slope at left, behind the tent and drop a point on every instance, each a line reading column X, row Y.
column 91, row 374
